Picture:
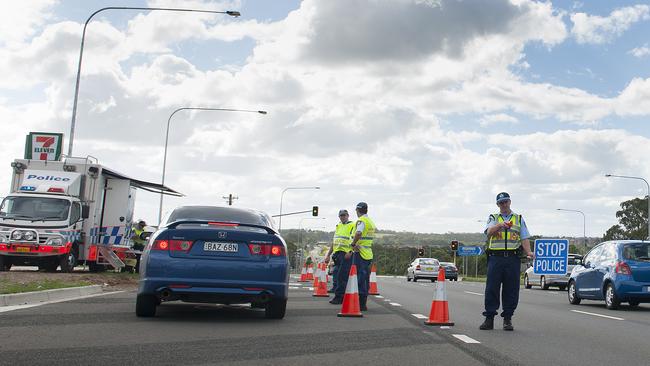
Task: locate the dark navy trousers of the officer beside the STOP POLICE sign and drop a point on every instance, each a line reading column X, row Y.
column 502, row 279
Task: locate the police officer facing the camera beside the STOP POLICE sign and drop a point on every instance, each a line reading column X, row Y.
column 507, row 236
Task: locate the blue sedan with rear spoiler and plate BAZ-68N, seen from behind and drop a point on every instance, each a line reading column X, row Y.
column 218, row 255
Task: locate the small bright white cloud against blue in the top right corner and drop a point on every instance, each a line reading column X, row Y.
column 596, row 29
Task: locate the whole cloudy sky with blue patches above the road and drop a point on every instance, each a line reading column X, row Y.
column 425, row 109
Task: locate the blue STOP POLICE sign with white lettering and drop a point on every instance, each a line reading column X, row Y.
column 551, row 256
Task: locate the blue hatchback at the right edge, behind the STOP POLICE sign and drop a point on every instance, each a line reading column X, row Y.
column 614, row 271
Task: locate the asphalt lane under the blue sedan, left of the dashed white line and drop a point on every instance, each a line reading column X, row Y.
column 104, row 330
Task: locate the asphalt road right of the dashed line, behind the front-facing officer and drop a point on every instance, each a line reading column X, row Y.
column 548, row 330
